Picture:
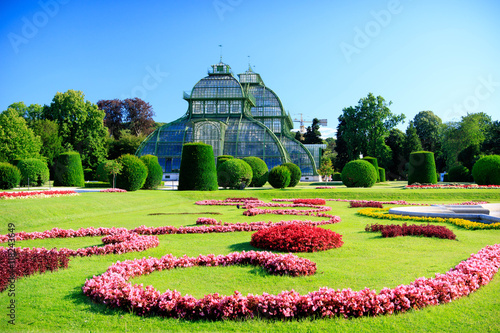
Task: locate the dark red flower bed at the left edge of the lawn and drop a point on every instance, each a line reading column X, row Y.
column 19, row 262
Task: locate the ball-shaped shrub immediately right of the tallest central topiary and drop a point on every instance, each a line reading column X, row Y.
column 235, row 174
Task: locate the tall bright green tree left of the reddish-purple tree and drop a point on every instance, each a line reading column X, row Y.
column 81, row 126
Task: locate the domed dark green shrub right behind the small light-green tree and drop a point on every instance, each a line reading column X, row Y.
column 133, row 175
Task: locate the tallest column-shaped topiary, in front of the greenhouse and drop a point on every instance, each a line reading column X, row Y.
column 197, row 170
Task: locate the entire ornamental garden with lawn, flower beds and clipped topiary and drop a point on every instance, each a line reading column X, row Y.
column 230, row 251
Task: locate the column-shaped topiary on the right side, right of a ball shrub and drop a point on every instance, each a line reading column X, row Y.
column 422, row 168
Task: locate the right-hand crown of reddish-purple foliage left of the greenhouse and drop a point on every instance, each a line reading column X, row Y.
column 140, row 115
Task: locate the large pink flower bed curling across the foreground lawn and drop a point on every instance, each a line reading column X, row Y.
column 112, row 288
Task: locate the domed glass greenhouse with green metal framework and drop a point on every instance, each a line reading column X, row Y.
column 237, row 117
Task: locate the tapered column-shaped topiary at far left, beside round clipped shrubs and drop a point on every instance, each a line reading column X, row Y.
column 69, row 171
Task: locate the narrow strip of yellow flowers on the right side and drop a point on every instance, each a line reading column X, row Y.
column 382, row 214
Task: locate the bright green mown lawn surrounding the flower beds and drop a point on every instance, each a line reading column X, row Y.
column 55, row 302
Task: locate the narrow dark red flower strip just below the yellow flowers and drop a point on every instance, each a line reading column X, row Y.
column 394, row 230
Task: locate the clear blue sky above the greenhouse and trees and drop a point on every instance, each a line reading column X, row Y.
column 318, row 56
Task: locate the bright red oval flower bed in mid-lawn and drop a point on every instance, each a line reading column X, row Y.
column 296, row 238
